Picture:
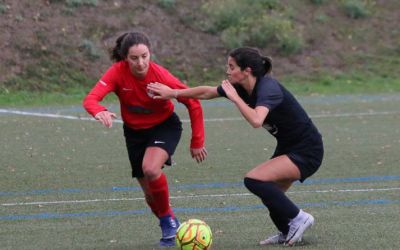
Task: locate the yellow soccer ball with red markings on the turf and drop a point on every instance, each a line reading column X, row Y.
column 194, row 234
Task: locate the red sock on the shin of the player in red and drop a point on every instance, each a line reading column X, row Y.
column 159, row 191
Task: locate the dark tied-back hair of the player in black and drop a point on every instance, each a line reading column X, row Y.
column 249, row 57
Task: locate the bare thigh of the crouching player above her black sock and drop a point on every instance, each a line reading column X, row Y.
column 279, row 169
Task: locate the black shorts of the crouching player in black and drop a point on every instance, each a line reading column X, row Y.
column 307, row 155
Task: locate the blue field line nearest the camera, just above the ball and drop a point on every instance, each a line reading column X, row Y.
column 191, row 210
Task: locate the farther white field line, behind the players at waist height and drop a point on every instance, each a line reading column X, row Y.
column 70, row 117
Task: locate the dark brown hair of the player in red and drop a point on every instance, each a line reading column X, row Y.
column 125, row 41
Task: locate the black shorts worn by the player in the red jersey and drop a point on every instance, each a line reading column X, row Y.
column 165, row 135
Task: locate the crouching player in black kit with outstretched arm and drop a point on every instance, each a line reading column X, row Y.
column 264, row 102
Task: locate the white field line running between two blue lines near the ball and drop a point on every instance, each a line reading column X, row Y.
column 207, row 196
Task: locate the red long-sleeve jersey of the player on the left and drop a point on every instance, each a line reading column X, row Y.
column 138, row 109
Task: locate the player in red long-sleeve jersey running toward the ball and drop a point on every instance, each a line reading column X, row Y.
column 152, row 129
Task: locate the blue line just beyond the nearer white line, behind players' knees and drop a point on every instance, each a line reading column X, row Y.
column 196, row 186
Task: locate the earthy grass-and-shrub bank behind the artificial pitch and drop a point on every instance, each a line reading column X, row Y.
column 55, row 50
